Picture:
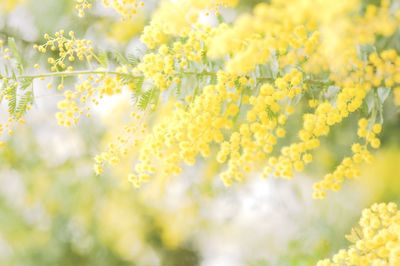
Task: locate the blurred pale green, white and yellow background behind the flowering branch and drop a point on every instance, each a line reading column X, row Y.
column 55, row 211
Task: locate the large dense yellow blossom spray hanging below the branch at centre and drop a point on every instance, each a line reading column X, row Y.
column 190, row 129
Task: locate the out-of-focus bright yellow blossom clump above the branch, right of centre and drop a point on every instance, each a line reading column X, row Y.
column 250, row 45
